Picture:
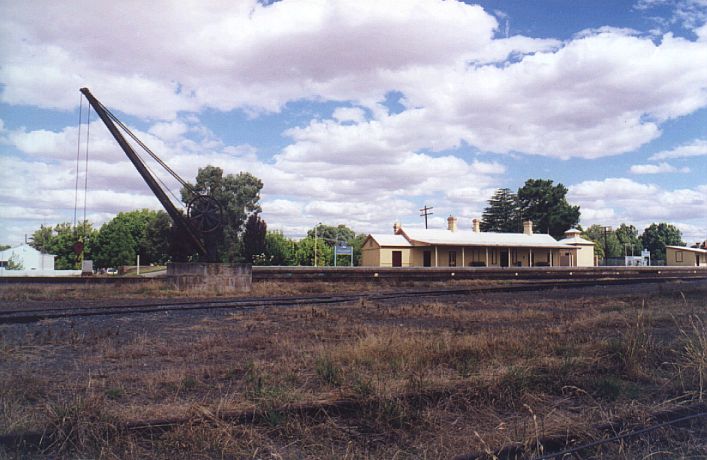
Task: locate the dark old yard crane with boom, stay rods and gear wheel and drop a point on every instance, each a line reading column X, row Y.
column 204, row 213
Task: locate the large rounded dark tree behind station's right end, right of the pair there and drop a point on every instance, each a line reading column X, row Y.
column 547, row 207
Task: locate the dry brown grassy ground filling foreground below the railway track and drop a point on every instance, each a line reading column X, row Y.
column 412, row 378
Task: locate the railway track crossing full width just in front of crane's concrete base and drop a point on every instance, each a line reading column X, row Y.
column 20, row 316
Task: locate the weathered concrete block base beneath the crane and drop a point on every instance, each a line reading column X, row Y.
column 210, row 278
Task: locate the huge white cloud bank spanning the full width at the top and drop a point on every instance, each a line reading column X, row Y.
column 602, row 93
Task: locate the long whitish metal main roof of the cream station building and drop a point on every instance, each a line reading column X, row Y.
column 471, row 238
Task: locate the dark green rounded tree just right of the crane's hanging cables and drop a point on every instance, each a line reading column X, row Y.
column 115, row 245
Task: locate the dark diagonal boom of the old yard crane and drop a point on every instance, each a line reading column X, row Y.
column 167, row 204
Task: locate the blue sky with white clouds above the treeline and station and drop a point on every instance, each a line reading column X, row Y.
column 359, row 112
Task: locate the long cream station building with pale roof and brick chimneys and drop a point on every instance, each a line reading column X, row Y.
column 414, row 247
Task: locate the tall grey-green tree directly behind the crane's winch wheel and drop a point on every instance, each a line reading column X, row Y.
column 239, row 197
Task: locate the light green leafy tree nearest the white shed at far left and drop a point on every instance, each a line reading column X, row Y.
column 60, row 241
